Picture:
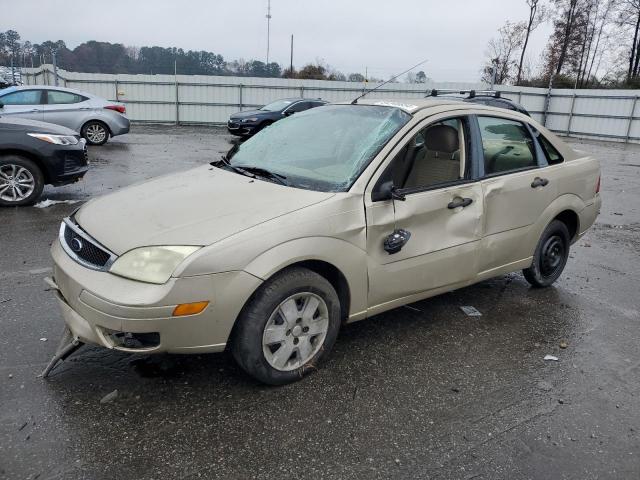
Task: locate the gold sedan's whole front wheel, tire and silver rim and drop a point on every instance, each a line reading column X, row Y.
column 288, row 327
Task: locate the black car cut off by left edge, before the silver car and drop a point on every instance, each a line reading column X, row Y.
column 33, row 154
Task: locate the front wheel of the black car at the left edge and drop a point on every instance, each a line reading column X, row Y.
column 21, row 181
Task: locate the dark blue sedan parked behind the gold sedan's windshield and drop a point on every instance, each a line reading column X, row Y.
column 250, row 122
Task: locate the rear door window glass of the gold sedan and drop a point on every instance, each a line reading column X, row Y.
column 507, row 145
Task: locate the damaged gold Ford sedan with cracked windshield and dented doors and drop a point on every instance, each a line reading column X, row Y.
column 330, row 216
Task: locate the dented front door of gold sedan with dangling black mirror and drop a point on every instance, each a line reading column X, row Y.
column 437, row 203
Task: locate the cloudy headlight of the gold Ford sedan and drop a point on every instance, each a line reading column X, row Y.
column 151, row 264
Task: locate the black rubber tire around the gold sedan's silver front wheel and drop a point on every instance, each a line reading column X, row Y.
column 247, row 342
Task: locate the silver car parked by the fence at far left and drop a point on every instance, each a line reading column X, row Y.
column 95, row 118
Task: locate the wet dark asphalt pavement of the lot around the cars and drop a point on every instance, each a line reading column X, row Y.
column 419, row 392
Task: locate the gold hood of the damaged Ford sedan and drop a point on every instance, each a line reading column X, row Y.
column 196, row 207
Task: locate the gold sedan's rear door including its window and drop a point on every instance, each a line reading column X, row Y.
column 515, row 188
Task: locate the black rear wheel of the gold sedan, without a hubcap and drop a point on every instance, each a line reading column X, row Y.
column 550, row 257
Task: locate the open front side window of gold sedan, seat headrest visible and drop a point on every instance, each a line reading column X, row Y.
column 434, row 156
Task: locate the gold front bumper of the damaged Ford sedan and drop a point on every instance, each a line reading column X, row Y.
column 99, row 307
